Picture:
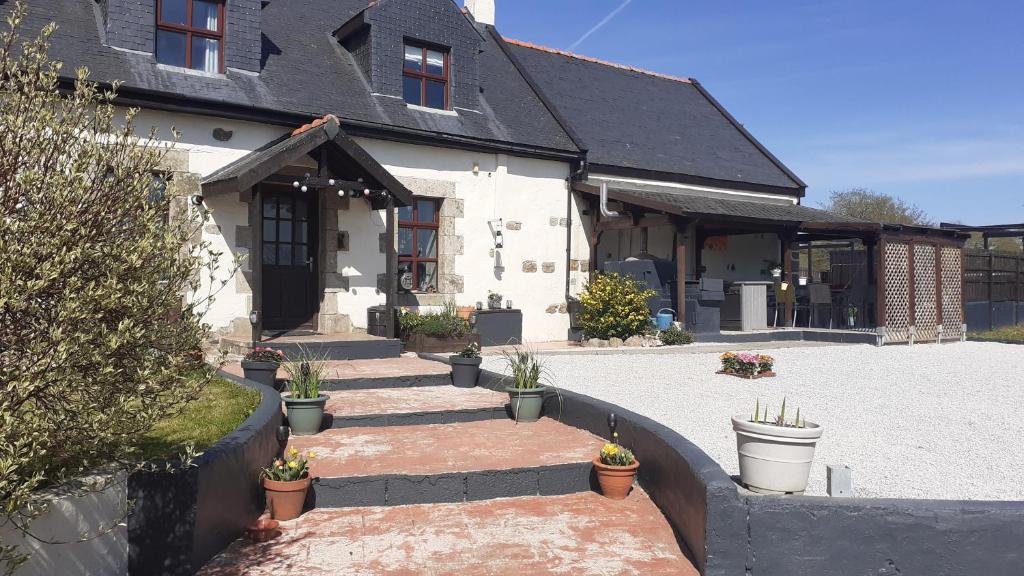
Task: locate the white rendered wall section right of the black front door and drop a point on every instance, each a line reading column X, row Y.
column 529, row 192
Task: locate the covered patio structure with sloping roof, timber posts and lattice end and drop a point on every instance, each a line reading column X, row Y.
column 917, row 271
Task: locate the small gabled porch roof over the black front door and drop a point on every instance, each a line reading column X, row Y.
column 344, row 156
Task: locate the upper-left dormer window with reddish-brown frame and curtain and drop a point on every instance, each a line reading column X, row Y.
column 191, row 34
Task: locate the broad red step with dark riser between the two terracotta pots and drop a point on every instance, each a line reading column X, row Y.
column 412, row 465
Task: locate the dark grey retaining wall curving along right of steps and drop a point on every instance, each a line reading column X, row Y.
column 731, row 531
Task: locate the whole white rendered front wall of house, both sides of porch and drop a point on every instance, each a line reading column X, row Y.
column 530, row 192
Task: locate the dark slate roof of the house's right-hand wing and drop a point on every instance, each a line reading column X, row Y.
column 633, row 119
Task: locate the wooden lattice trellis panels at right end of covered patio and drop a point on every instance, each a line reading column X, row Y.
column 922, row 292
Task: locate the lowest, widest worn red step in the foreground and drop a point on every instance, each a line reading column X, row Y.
column 580, row 534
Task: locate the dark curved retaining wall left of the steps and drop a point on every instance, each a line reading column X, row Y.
column 183, row 519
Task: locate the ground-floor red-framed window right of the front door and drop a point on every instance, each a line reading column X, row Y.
column 418, row 245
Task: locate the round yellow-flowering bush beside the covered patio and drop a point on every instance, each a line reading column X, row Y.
column 614, row 307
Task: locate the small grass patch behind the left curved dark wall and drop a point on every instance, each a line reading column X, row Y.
column 220, row 409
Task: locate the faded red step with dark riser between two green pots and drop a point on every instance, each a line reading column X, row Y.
column 429, row 405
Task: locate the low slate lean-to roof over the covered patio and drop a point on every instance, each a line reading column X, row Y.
column 703, row 205
